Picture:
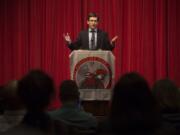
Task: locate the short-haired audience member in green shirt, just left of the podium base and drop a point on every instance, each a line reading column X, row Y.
column 71, row 111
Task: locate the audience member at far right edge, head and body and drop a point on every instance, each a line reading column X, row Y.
column 168, row 96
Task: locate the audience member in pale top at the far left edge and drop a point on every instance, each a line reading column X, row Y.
column 12, row 105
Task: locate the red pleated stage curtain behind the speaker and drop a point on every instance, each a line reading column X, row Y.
column 31, row 36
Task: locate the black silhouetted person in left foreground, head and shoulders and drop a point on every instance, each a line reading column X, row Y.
column 35, row 90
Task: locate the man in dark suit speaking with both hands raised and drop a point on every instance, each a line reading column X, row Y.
column 92, row 38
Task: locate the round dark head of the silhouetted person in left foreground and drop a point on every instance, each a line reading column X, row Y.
column 36, row 89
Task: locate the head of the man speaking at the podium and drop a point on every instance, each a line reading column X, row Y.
column 92, row 20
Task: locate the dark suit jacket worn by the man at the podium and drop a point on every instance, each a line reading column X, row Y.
column 82, row 42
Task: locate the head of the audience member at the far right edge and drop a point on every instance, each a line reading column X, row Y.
column 167, row 94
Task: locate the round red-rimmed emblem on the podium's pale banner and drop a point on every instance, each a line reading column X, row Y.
column 93, row 73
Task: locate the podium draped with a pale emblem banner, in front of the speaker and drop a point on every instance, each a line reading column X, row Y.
column 93, row 72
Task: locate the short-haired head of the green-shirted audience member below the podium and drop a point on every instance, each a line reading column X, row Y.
column 69, row 91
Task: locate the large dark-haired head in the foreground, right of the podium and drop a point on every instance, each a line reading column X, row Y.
column 133, row 107
